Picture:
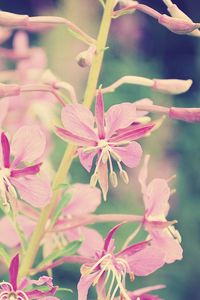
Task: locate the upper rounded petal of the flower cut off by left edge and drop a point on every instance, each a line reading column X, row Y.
column 28, row 144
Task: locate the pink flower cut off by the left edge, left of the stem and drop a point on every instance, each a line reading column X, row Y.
column 28, row 145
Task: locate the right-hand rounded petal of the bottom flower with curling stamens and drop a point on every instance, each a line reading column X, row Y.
column 146, row 261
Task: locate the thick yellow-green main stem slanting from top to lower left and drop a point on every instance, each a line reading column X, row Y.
column 65, row 164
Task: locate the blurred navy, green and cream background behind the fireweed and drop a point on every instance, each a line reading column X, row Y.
column 137, row 46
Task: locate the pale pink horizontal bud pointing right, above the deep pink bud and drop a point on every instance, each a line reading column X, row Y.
column 172, row 86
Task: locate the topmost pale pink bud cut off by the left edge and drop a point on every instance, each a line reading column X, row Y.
column 13, row 20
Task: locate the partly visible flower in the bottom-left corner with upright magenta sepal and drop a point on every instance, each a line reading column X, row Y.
column 11, row 290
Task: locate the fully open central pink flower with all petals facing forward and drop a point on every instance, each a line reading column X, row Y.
column 112, row 138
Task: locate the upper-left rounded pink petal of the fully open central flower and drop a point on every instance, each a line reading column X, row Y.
column 79, row 120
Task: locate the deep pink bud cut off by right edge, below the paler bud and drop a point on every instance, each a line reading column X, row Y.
column 191, row 115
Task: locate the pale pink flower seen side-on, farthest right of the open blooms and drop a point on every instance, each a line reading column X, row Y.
column 156, row 200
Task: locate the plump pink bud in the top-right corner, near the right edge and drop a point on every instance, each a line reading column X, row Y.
column 176, row 25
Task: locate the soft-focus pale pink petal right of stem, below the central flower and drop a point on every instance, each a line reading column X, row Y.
column 85, row 199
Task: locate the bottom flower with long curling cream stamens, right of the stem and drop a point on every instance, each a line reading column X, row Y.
column 106, row 266
